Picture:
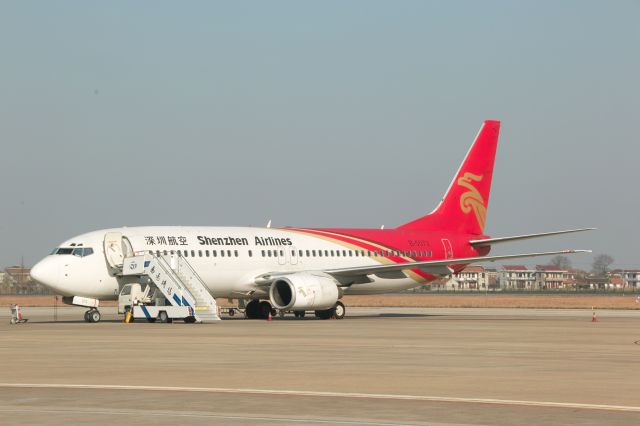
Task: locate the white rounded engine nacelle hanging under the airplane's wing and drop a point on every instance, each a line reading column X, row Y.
column 304, row 291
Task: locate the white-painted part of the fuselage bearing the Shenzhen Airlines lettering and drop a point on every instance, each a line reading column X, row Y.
column 228, row 259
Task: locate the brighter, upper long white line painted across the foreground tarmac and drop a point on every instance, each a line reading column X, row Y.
column 355, row 395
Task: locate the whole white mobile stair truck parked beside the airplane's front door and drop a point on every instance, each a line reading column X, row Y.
column 170, row 283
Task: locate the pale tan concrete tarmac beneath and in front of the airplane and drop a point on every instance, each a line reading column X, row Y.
column 381, row 366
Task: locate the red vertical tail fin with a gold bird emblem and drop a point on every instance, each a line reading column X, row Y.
column 464, row 206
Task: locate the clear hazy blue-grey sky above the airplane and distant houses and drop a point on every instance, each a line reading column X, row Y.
column 317, row 114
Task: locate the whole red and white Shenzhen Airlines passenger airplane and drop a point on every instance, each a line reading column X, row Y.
column 299, row 269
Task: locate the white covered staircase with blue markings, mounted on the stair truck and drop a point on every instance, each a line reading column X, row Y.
column 177, row 281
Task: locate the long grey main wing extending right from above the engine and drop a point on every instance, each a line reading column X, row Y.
column 436, row 267
